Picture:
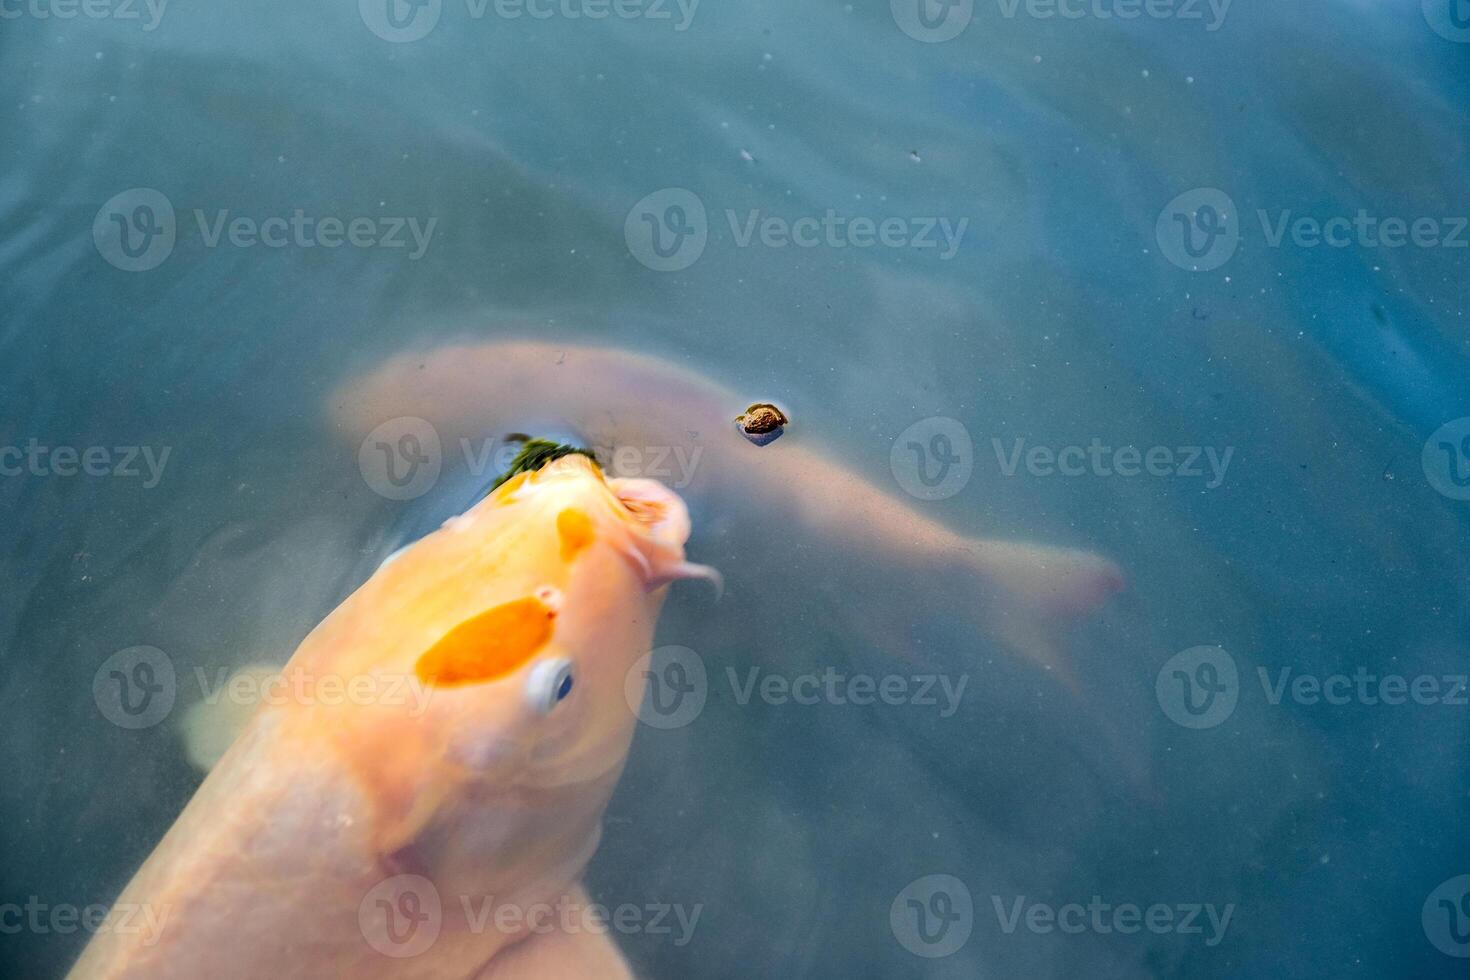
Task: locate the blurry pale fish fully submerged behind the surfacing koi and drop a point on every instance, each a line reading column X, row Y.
column 675, row 424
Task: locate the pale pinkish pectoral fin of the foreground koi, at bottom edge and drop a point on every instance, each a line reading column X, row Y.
column 571, row 951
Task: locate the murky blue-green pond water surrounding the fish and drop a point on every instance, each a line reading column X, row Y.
column 1184, row 286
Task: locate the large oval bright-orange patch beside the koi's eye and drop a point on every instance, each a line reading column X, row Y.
column 489, row 646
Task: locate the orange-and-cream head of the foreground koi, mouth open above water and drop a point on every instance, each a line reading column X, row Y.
column 520, row 621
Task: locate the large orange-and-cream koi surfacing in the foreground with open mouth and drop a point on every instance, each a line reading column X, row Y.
column 468, row 778
